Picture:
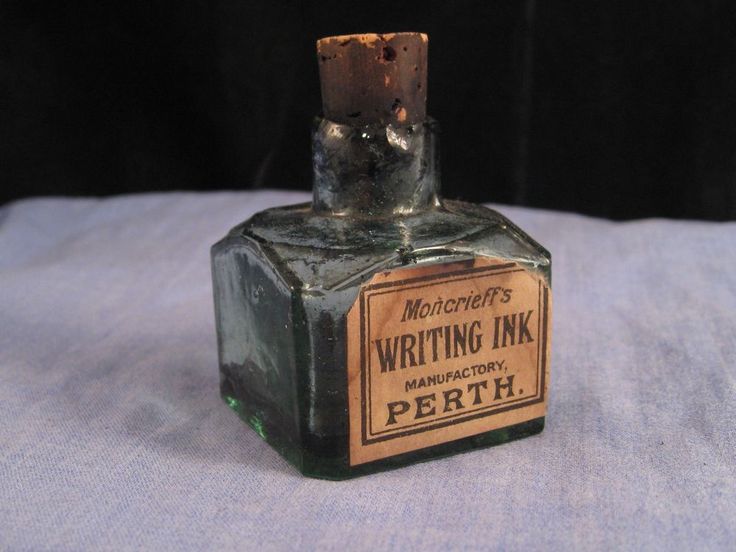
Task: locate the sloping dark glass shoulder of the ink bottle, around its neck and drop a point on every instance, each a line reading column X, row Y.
column 328, row 251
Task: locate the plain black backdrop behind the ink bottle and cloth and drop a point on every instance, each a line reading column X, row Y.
column 621, row 109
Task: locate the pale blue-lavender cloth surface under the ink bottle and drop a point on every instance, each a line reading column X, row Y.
column 113, row 435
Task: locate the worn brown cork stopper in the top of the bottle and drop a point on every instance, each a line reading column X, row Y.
column 370, row 79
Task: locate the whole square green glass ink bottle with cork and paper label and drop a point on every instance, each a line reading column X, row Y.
column 380, row 325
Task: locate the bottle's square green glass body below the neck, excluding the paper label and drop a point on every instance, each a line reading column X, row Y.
column 284, row 282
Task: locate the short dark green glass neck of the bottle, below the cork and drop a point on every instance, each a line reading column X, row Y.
column 375, row 171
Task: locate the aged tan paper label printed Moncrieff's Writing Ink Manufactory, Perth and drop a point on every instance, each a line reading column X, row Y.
column 441, row 352
